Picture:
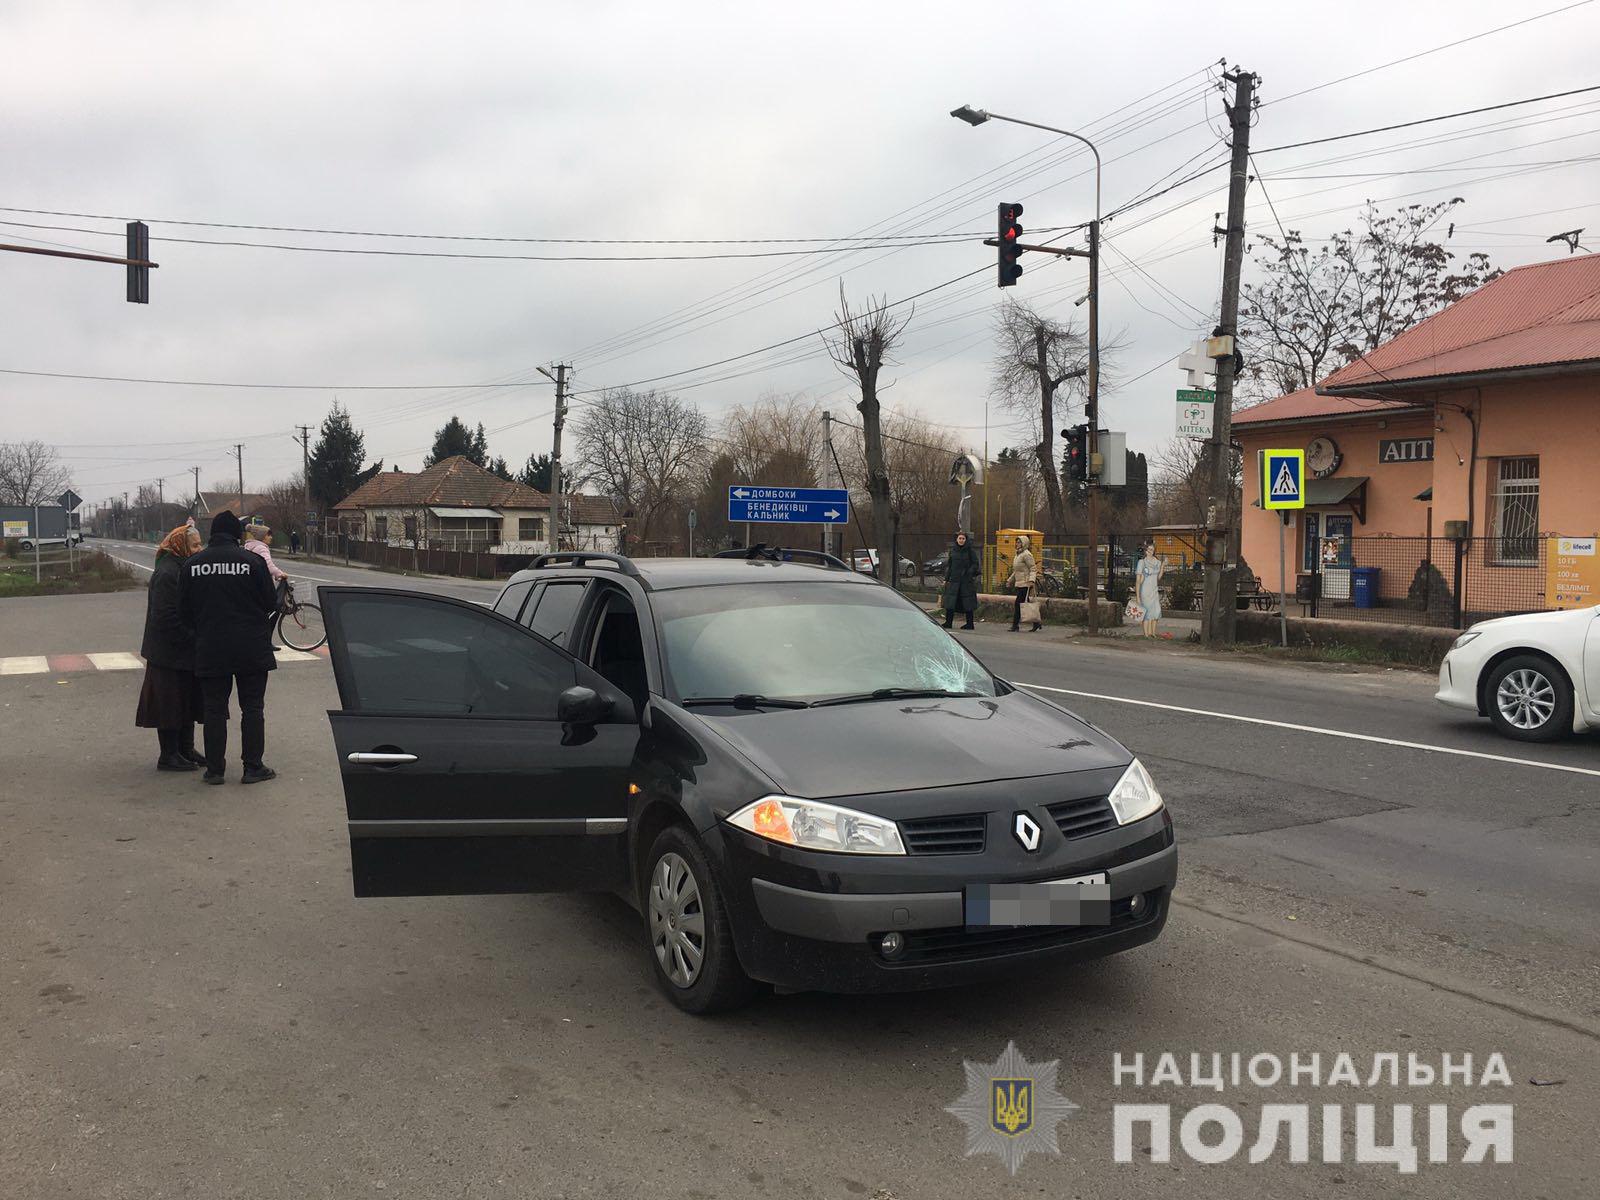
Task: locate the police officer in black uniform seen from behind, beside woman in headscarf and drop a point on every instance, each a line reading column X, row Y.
column 230, row 601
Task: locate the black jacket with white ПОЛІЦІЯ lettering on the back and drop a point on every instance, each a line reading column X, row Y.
column 230, row 601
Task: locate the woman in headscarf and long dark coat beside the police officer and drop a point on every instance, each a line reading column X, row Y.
column 170, row 698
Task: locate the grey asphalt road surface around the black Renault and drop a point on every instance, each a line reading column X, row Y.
column 196, row 1006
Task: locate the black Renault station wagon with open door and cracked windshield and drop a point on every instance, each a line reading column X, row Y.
column 786, row 767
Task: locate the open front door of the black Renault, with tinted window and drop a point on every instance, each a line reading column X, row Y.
column 476, row 756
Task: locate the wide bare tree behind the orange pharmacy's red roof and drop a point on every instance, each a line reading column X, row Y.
column 1313, row 313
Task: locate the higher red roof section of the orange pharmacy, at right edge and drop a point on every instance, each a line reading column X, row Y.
column 1545, row 314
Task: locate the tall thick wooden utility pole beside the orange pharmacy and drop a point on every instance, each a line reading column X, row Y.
column 1222, row 542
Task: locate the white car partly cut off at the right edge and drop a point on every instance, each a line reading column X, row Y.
column 1537, row 678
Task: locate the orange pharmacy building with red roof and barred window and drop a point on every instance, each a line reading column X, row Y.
column 1481, row 422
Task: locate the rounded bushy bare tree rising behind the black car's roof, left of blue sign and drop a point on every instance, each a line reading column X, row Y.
column 646, row 450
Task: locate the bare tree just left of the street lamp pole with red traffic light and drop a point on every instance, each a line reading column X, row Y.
column 1036, row 362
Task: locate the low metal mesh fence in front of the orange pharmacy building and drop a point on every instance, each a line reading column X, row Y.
column 1422, row 582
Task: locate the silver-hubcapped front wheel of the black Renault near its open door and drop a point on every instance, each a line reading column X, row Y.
column 690, row 942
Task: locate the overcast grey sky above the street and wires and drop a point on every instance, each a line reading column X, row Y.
column 686, row 121
